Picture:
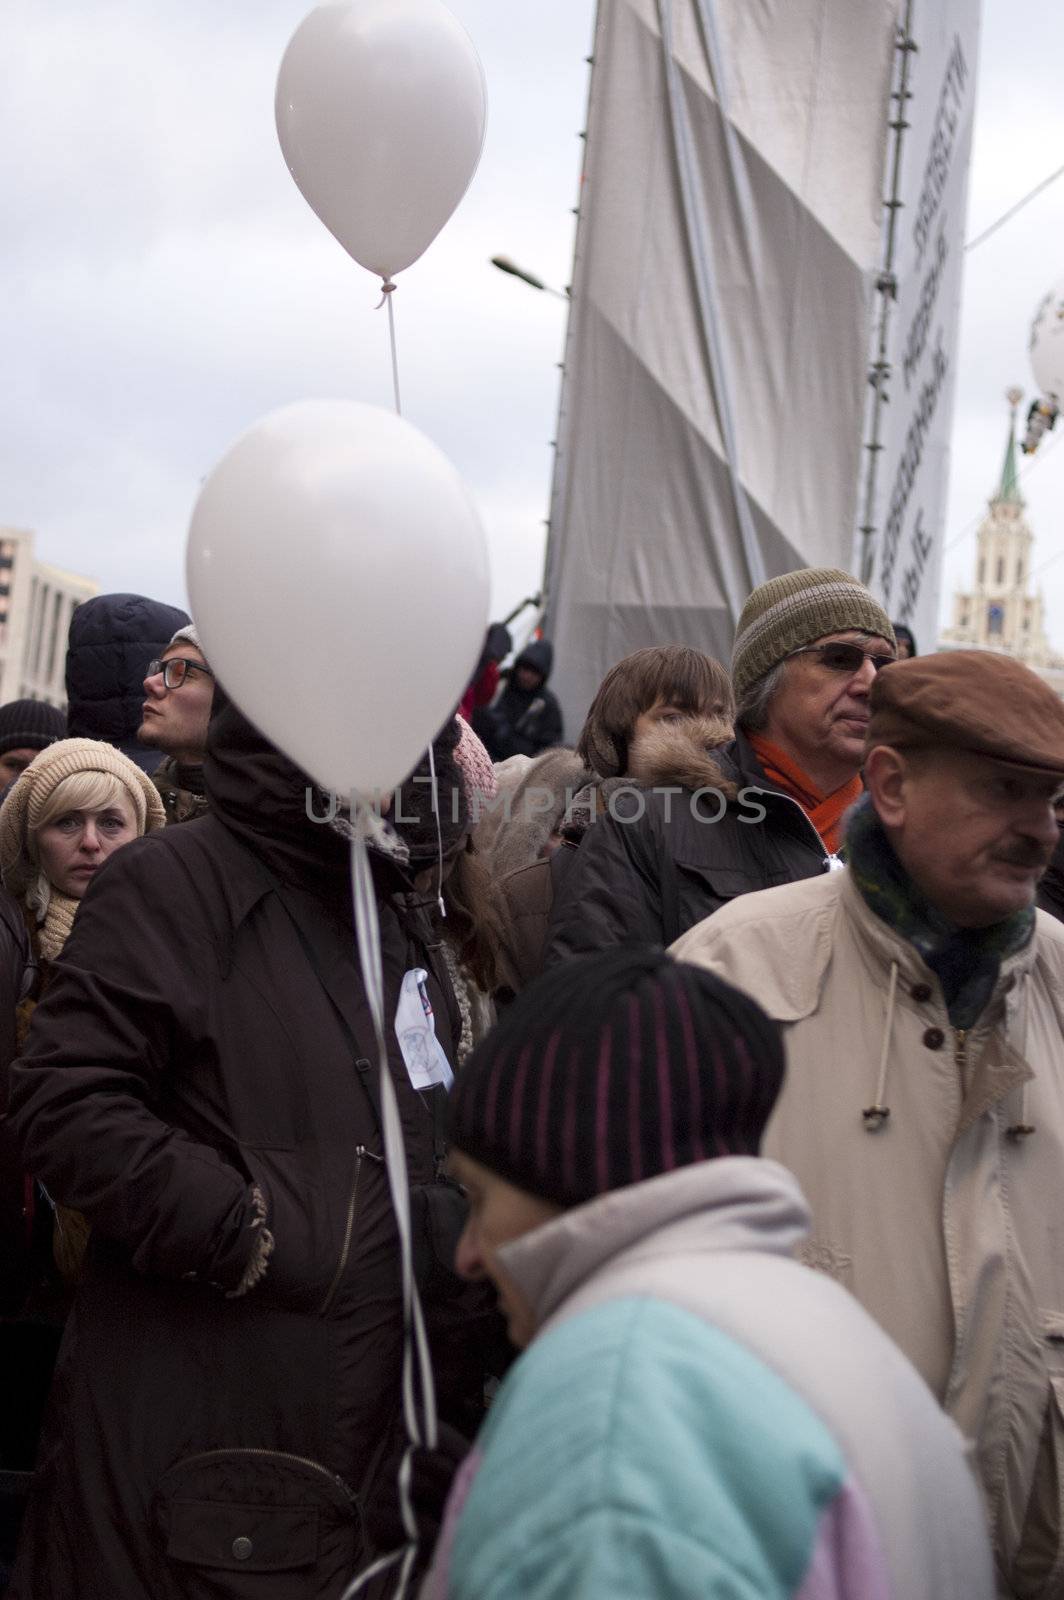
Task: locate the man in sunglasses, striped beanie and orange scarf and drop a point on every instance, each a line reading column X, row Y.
column 807, row 650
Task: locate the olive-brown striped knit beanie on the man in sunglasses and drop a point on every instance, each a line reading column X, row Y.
column 796, row 610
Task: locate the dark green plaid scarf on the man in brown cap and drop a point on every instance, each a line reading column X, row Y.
column 966, row 961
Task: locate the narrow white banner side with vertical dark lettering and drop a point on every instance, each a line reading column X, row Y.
column 900, row 540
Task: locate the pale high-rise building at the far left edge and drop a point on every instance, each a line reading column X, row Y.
column 36, row 607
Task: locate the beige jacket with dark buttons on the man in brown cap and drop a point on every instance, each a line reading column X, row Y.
column 943, row 1218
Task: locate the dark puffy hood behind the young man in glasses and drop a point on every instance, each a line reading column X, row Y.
column 113, row 639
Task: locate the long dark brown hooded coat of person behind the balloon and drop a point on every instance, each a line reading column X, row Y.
column 185, row 1057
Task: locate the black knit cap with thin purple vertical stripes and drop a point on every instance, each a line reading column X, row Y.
column 614, row 1070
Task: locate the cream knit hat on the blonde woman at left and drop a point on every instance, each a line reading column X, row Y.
column 30, row 793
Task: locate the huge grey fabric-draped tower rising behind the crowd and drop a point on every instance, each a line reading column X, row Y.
column 729, row 287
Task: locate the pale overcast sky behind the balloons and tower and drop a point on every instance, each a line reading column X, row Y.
column 167, row 284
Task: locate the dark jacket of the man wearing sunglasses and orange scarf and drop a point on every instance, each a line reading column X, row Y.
column 662, row 862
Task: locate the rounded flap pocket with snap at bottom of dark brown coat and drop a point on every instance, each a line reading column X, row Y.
column 236, row 1524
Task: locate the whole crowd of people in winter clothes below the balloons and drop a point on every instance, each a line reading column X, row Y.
column 727, row 1046
